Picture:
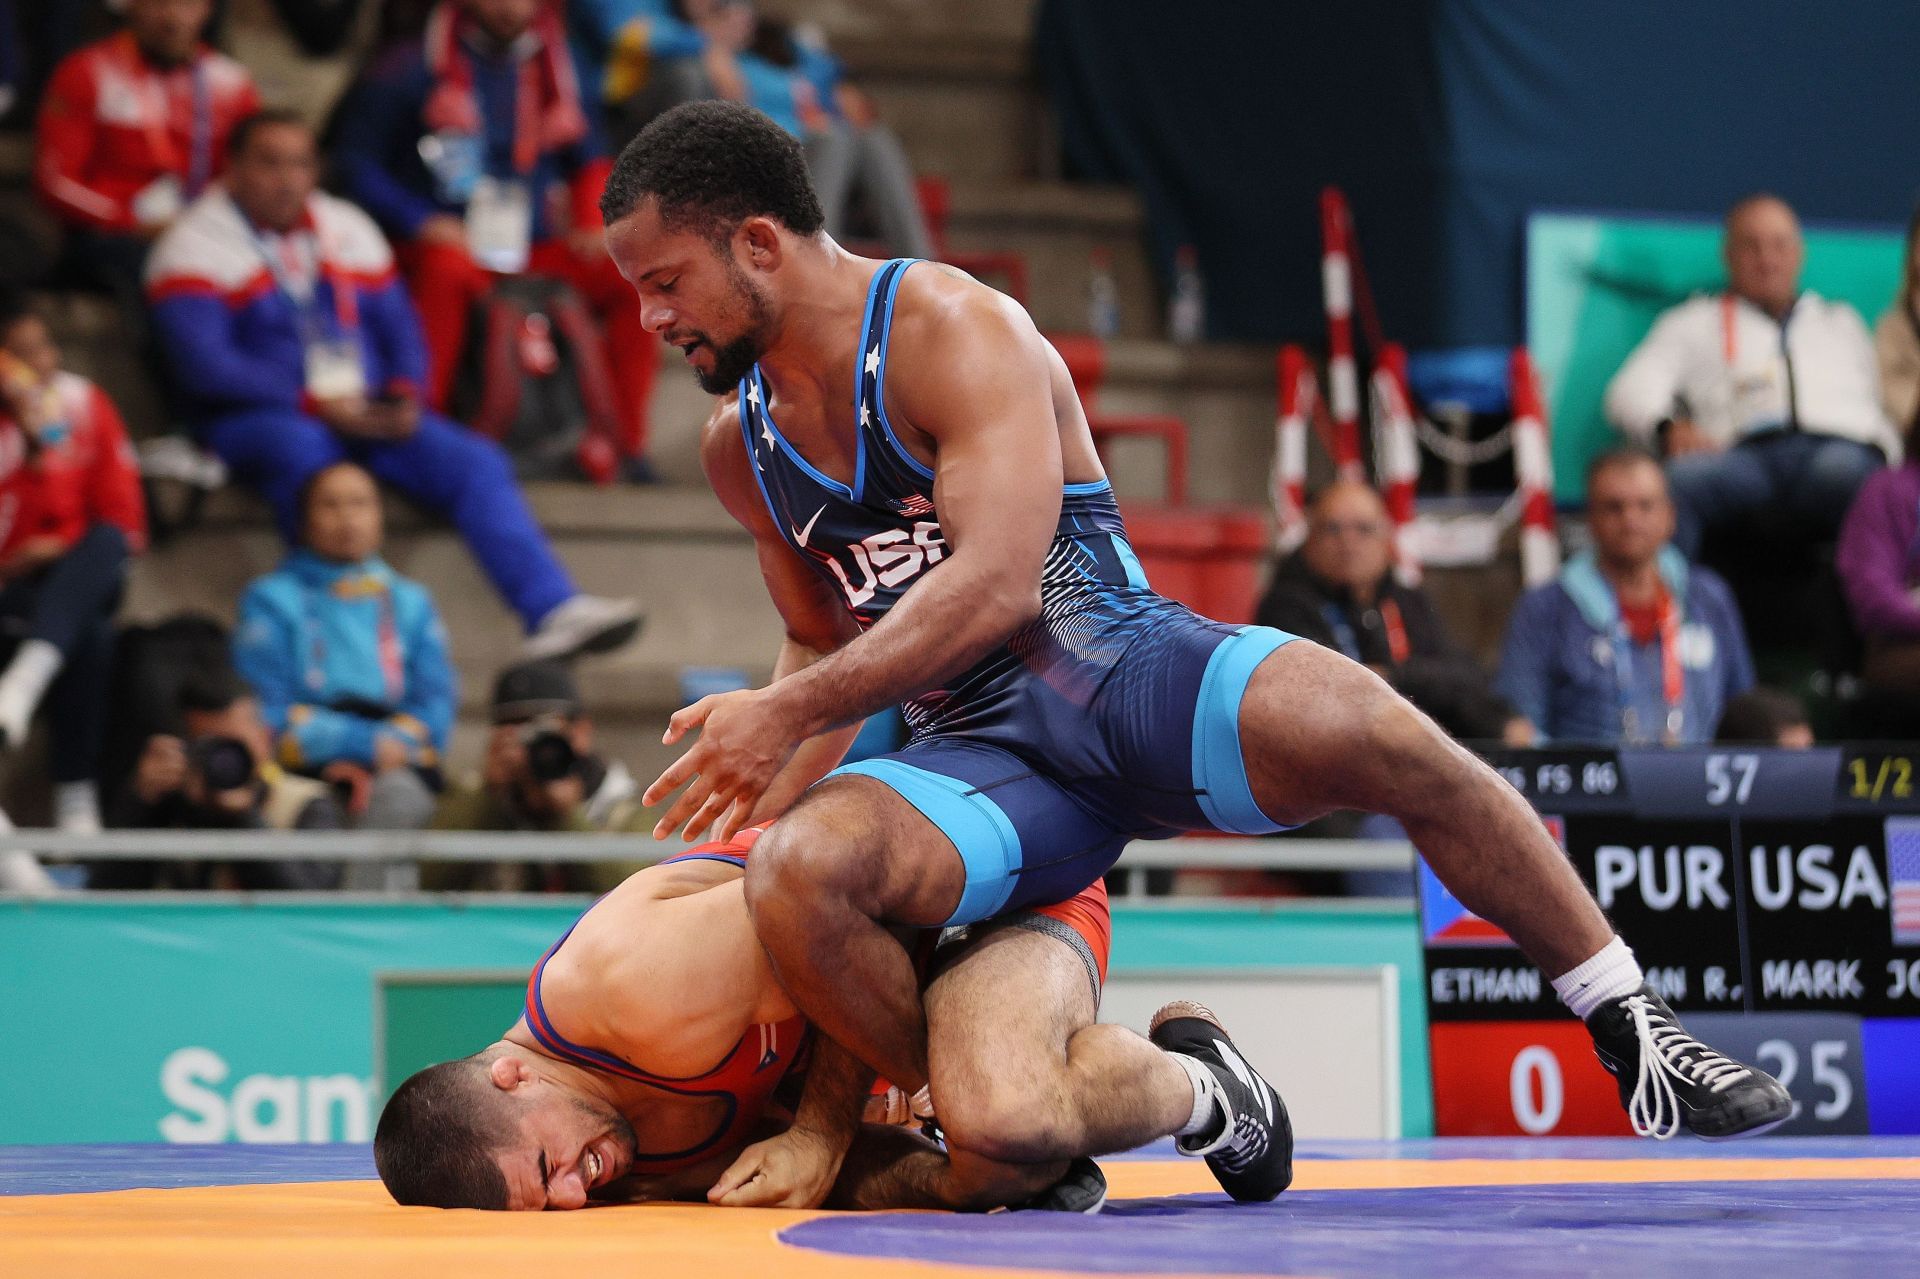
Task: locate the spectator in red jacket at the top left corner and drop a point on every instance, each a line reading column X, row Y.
column 132, row 132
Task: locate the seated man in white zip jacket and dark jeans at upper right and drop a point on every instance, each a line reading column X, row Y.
column 1765, row 397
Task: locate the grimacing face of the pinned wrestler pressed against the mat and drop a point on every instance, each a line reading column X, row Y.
column 567, row 1146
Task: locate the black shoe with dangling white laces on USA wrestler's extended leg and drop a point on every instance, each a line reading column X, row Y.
column 1671, row 1080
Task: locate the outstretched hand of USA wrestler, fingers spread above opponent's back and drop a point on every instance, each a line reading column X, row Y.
column 744, row 744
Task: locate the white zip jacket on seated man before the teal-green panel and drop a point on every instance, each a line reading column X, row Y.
column 1725, row 362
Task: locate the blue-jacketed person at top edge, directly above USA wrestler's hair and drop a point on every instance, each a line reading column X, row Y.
column 646, row 60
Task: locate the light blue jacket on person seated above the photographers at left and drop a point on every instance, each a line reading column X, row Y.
column 310, row 642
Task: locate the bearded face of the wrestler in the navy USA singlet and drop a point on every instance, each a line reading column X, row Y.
column 696, row 295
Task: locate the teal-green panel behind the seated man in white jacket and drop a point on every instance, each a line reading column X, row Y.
column 1595, row 287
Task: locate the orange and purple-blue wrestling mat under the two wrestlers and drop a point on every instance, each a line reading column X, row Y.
column 1431, row 1209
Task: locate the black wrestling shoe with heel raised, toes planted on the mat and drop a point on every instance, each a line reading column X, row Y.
column 1253, row 1151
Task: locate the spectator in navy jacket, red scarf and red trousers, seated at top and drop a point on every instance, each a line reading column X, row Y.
column 475, row 151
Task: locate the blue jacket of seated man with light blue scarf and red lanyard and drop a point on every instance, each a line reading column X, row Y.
column 1566, row 642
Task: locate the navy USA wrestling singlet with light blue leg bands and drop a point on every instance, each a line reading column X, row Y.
column 1113, row 715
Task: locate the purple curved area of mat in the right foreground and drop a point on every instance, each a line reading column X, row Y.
column 1836, row 1230
